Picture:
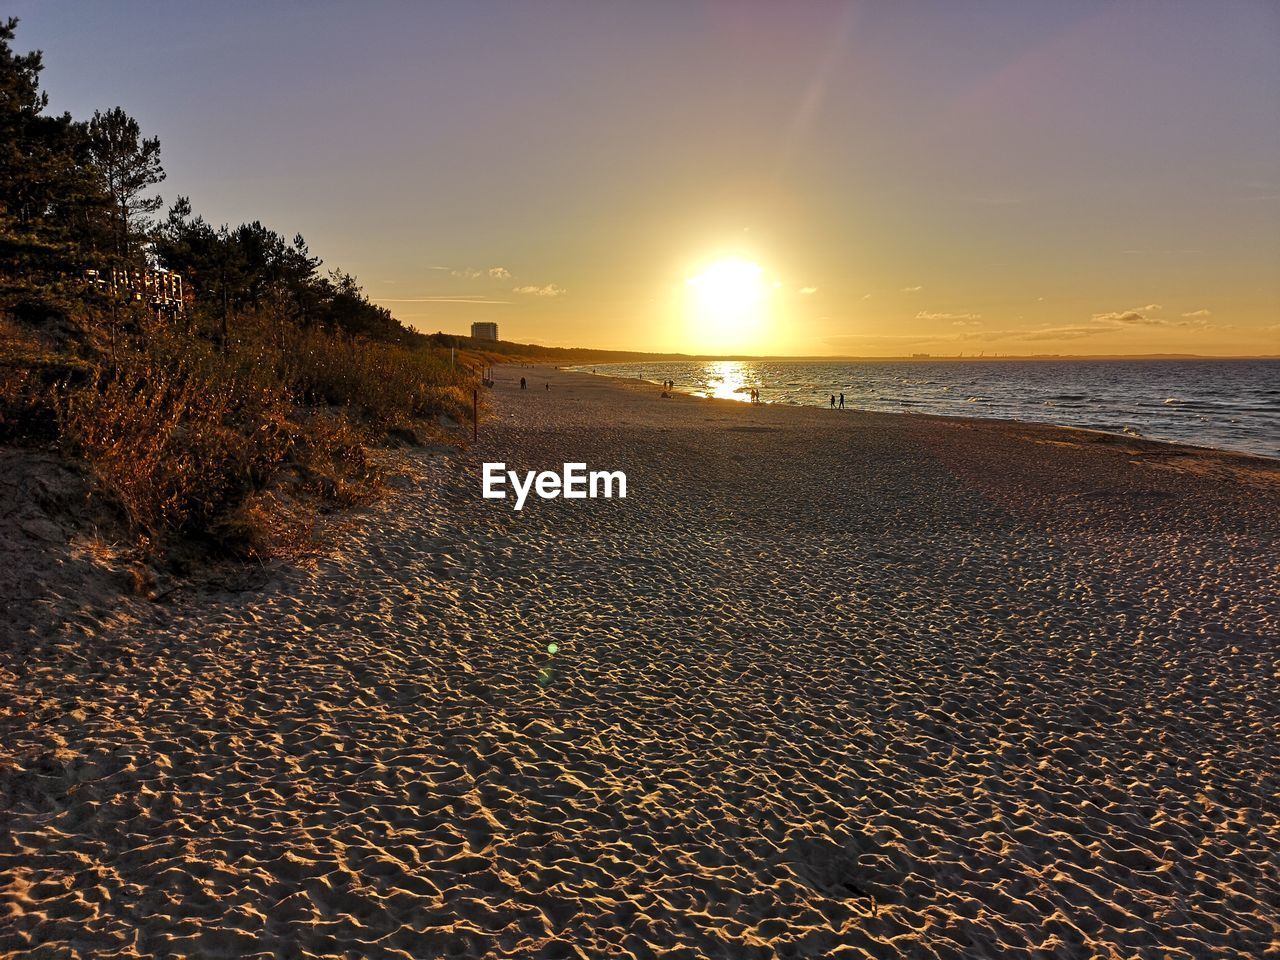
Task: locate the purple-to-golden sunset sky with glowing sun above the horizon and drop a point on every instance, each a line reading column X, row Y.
column 787, row 179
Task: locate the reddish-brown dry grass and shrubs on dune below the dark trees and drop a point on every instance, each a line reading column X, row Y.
column 241, row 450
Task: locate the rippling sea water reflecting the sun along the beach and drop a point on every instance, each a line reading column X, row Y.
column 1226, row 404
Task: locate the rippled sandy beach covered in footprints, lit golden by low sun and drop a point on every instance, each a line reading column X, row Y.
column 828, row 685
